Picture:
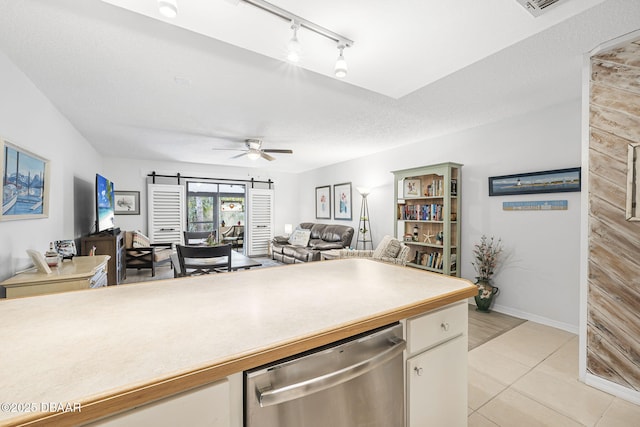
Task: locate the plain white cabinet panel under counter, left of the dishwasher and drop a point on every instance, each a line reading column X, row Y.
column 207, row 406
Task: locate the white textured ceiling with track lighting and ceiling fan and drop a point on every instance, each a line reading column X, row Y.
column 144, row 88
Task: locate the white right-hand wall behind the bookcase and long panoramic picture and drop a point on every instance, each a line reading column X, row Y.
column 539, row 278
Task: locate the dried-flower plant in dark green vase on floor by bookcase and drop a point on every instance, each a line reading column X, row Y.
column 485, row 255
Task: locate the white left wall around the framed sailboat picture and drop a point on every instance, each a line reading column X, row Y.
column 30, row 121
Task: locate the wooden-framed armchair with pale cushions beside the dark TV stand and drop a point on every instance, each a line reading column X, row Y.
column 140, row 253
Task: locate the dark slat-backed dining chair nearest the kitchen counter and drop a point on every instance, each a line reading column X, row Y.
column 197, row 260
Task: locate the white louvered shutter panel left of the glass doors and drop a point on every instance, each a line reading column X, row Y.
column 166, row 213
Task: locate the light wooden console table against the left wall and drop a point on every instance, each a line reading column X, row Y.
column 82, row 272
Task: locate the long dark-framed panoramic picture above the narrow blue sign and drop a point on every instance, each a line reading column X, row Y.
column 552, row 181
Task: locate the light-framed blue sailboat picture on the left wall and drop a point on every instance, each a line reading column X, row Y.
column 25, row 183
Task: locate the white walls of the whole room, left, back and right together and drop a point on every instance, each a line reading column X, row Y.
column 540, row 275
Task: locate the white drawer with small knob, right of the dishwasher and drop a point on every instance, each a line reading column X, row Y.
column 435, row 327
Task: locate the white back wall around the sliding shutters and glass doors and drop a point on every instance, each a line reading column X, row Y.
column 131, row 175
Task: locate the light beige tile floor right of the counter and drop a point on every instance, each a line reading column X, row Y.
column 528, row 376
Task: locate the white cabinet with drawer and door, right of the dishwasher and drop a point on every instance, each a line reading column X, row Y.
column 436, row 368
